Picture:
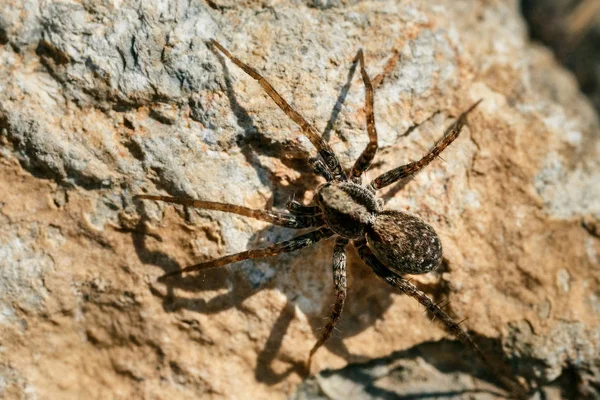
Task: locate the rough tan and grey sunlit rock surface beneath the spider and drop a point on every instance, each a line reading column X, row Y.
column 102, row 100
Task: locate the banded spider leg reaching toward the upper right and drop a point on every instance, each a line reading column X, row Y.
column 404, row 171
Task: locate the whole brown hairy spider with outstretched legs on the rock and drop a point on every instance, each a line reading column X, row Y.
column 392, row 243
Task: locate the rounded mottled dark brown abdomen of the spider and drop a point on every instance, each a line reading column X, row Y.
column 404, row 243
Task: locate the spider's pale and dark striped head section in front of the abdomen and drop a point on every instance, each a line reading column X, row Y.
column 348, row 208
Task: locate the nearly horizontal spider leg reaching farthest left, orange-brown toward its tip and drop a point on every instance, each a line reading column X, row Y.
column 274, row 217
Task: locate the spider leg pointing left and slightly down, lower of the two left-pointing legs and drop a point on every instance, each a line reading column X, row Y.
column 288, row 246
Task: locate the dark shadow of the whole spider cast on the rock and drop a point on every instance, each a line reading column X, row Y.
column 368, row 297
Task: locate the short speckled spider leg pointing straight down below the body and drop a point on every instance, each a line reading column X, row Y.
column 339, row 280
